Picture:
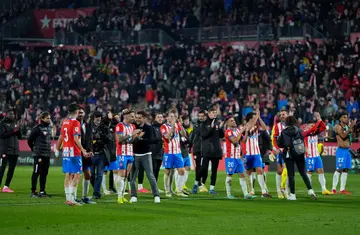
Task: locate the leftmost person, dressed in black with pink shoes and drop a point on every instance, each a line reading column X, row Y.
column 9, row 147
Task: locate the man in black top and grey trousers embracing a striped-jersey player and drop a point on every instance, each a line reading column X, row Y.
column 142, row 155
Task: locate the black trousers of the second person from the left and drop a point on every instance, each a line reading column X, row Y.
column 41, row 168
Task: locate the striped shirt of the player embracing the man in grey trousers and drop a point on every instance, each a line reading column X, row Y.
column 124, row 149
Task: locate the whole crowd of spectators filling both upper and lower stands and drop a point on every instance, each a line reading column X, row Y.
column 303, row 77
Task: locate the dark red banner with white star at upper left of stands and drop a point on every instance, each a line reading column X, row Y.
column 47, row 20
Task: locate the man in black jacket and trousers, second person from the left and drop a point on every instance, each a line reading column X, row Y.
column 40, row 143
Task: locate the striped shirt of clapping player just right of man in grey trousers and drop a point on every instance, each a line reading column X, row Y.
column 172, row 145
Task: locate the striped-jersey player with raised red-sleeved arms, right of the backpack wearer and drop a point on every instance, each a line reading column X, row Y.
column 313, row 159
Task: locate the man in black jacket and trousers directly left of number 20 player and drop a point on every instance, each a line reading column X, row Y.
column 217, row 133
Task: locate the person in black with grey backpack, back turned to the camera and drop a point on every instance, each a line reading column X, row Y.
column 292, row 140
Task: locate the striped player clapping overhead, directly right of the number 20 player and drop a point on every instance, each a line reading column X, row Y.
column 252, row 156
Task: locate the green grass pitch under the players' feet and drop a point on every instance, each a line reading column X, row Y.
column 199, row 214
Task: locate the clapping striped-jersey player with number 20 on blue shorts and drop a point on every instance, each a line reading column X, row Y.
column 233, row 160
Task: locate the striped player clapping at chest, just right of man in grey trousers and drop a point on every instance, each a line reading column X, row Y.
column 171, row 132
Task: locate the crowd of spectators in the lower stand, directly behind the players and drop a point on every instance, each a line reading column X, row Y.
column 303, row 77
